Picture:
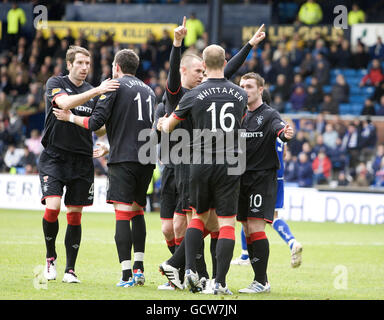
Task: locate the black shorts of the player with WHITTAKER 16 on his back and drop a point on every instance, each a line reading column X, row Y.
column 212, row 187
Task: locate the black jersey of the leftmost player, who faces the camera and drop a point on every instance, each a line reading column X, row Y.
column 62, row 135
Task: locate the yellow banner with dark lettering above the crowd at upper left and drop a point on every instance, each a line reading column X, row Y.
column 133, row 33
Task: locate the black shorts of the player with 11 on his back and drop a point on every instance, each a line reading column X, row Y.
column 128, row 183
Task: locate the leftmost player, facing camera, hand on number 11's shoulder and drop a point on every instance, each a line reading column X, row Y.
column 67, row 158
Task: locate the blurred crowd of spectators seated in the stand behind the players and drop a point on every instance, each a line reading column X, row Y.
column 346, row 153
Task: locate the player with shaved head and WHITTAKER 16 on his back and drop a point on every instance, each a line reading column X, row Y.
column 211, row 181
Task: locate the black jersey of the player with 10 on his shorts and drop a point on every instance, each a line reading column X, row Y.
column 262, row 126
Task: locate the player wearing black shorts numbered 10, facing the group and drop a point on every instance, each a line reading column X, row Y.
column 258, row 184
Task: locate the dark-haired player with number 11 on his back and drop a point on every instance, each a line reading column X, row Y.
column 125, row 113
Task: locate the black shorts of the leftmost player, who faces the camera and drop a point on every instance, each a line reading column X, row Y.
column 75, row 172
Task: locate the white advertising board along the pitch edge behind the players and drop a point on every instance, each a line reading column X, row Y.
column 300, row 204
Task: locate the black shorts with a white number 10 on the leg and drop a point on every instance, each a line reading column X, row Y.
column 258, row 190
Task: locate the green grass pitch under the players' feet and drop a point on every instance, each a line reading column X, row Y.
column 340, row 262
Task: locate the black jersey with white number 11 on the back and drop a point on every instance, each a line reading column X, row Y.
column 125, row 112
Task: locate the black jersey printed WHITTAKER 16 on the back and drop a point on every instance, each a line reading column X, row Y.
column 216, row 105
